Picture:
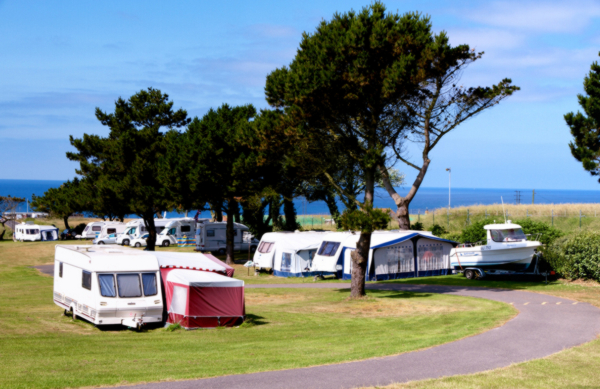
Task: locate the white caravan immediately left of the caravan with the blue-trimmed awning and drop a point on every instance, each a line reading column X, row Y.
column 288, row 254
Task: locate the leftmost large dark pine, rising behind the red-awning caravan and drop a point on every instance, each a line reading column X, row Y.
column 126, row 164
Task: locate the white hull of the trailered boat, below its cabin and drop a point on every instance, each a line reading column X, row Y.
column 510, row 258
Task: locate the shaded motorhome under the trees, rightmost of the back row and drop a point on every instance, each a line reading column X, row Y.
column 211, row 236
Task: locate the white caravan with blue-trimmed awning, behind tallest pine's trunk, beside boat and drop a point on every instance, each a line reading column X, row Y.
column 400, row 254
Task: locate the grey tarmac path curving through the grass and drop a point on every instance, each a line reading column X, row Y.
column 545, row 325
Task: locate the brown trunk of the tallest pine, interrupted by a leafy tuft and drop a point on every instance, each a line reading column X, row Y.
column 360, row 256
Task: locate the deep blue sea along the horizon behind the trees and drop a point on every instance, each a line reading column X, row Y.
column 426, row 198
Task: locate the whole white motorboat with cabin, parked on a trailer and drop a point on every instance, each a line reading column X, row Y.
column 507, row 248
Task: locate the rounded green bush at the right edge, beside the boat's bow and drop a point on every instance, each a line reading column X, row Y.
column 575, row 256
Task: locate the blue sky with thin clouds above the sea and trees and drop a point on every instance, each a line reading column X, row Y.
column 60, row 60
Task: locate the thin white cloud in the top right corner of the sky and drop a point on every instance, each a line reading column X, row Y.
column 544, row 16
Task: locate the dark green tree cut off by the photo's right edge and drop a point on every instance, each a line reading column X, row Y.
column 585, row 127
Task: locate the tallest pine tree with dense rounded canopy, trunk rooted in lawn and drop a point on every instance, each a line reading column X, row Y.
column 343, row 91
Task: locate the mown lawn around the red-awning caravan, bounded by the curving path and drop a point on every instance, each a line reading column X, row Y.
column 39, row 347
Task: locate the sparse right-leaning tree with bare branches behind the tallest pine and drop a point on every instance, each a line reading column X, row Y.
column 440, row 107
